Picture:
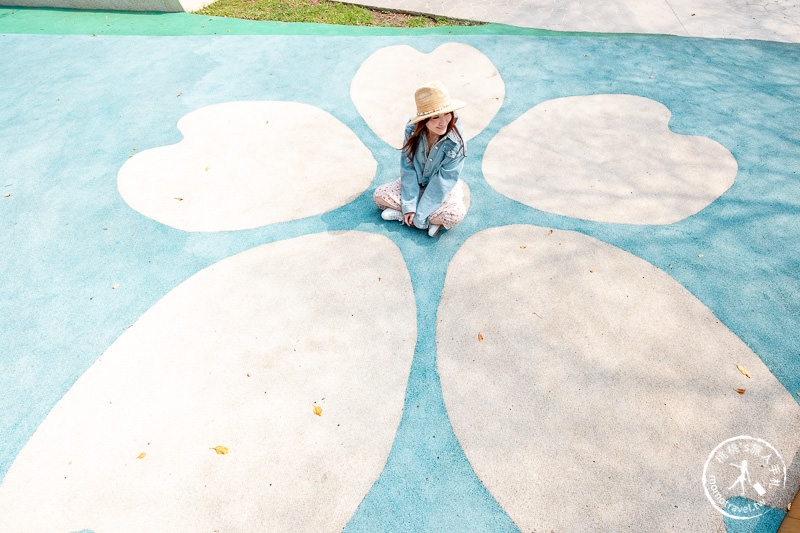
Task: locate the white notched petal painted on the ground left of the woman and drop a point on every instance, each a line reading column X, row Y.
column 247, row 164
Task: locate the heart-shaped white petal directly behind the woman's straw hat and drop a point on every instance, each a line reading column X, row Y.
column 383, row 88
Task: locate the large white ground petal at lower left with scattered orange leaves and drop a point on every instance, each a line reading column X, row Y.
column 237, row 356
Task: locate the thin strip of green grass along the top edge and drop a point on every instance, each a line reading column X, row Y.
column 325, row 12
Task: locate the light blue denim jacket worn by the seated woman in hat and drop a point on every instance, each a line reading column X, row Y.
column 426, row 182
